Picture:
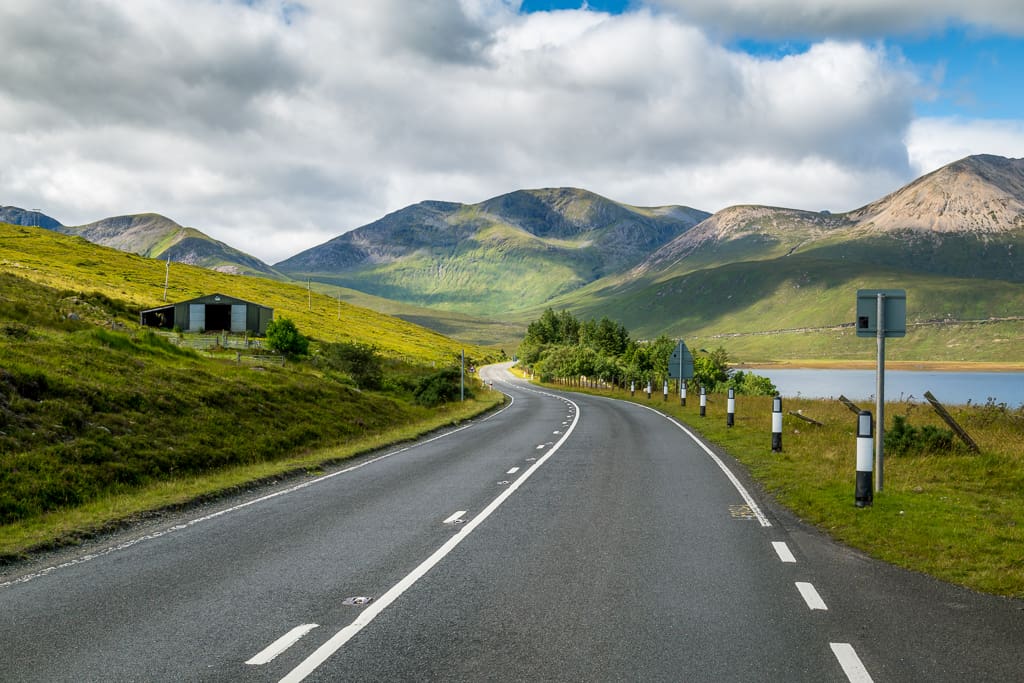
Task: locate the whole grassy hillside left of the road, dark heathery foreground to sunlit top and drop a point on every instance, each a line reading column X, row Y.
column 102, row 420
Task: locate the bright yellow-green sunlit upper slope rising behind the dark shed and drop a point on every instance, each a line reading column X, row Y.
column 75, row 265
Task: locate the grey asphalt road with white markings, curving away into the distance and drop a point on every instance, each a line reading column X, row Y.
column 565, row 538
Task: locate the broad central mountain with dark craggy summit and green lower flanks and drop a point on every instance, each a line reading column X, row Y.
column 503, row 254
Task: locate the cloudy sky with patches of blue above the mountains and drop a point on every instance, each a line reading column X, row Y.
column 277, row 125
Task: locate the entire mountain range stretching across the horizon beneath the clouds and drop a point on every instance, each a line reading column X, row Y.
column 667, row 270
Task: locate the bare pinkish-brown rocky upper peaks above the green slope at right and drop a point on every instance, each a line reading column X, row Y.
column 966, row 220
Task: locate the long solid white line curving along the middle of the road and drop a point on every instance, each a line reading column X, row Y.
column 325, row 652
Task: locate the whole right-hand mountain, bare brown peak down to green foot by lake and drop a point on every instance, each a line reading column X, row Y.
column 780, row 283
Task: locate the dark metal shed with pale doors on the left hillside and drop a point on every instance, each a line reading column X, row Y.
column 209, row 314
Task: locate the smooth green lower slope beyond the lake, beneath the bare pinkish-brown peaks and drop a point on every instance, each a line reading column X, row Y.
column 794, row 308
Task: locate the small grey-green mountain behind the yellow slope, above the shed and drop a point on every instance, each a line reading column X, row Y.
column 158, row 237
